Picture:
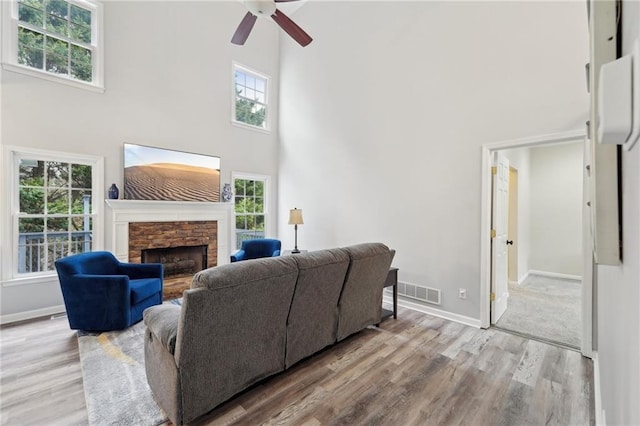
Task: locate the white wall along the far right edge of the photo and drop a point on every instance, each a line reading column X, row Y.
column 618, row 295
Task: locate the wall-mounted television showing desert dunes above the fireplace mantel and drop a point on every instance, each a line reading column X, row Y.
column 164, row 174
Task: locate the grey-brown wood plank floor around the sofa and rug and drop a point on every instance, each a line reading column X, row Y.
column 416, row 370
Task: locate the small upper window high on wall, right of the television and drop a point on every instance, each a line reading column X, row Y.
column 250, row 98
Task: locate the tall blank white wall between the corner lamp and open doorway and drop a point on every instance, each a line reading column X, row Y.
column 383, row 117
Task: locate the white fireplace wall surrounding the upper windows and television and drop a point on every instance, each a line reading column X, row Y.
column 168, row 78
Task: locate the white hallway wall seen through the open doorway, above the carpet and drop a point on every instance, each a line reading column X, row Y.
column 556, row 209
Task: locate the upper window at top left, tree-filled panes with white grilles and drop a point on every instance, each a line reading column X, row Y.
column 57, row 38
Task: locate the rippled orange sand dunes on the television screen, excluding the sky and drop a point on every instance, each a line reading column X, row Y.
column 173, row 182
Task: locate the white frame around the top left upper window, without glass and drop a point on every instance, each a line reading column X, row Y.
column 10, row 21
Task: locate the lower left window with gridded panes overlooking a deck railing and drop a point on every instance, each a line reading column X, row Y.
column 54, row 209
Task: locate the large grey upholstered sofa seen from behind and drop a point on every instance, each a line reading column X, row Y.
column 245, row 321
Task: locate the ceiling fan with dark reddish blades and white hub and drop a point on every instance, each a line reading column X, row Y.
column 262, row 9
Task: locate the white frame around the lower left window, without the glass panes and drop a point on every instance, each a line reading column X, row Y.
column 12, row 156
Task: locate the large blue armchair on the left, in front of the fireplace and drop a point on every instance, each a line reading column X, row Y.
column 101, row 293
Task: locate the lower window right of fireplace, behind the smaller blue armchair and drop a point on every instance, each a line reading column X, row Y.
column 250, row 208
